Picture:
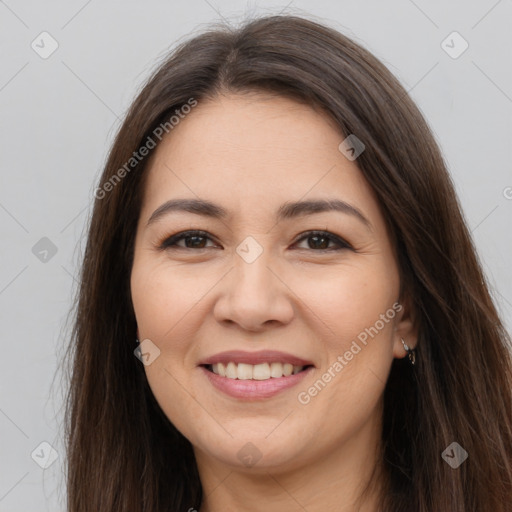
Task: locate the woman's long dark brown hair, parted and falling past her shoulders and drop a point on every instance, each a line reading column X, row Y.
column 123, row 452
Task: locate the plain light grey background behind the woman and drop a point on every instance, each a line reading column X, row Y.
column 58, row 118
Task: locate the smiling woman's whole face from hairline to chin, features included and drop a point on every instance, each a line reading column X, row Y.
column 251, row 286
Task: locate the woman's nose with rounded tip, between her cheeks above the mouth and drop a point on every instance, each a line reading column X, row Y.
column 254, row 296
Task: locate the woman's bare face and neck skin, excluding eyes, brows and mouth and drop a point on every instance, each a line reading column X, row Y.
column 250, row 153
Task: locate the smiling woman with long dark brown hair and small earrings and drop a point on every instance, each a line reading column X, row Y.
column 281, row 307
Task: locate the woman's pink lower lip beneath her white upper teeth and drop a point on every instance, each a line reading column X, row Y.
column 254, row 389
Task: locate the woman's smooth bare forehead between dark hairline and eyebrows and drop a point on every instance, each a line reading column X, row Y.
column 253, row 152
